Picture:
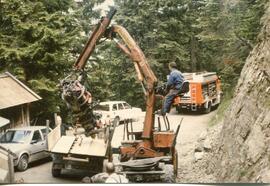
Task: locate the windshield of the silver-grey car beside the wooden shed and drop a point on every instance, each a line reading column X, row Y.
column 15, row 136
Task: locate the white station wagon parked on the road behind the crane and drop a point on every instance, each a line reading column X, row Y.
column 119, row 110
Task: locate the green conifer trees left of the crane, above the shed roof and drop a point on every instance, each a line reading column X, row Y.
column 38, row 43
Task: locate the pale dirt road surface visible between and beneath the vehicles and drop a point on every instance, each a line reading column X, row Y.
column 192, row 126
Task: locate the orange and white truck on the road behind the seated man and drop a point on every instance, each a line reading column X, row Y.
column 204, row 92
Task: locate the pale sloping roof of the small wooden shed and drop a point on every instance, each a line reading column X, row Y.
column 13, row 92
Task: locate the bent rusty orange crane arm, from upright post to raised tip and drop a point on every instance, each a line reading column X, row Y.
column 143, row 70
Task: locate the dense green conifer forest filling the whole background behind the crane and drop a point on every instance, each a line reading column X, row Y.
column 40, row 41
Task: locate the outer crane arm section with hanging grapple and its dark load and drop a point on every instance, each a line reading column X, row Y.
column 73, row 92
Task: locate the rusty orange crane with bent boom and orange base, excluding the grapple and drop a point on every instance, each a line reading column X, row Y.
column 151, row 142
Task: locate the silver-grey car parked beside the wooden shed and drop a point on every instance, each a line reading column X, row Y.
column 28, row 143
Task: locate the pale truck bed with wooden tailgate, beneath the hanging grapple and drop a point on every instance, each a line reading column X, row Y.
column 80, row 152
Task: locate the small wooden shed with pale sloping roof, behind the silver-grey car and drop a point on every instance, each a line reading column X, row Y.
column 15, row 99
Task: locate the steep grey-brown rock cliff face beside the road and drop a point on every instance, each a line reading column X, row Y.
column 242, row 153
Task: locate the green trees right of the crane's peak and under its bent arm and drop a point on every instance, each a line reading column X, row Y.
column 209, row 35
